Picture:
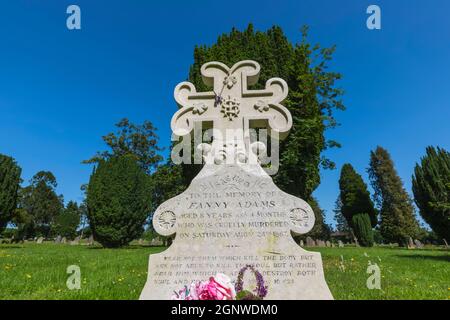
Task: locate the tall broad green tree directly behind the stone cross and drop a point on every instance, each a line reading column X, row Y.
column 313, row 98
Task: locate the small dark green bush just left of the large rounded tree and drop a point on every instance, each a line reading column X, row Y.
column 67, row 222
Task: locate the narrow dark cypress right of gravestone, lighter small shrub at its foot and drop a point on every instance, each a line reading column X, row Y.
column 357, row 207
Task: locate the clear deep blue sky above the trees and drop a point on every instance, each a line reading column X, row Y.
column 61, row 90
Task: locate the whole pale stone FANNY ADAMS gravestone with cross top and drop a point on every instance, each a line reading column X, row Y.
column 232, row 214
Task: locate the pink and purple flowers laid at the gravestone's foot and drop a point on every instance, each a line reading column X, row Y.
column 220, row 287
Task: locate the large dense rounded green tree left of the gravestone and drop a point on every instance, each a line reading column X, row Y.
column 118, row 200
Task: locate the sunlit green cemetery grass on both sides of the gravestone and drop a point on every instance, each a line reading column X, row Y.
column 33, row 271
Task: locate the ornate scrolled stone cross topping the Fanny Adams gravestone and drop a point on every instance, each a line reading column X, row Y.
column 231, row 107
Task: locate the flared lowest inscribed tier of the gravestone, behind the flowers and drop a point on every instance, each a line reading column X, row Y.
column 293, row 275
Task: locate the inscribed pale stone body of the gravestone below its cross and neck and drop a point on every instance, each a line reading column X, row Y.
column 244, row 219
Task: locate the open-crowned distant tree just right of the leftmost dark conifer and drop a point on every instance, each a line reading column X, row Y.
column 41, row 203
